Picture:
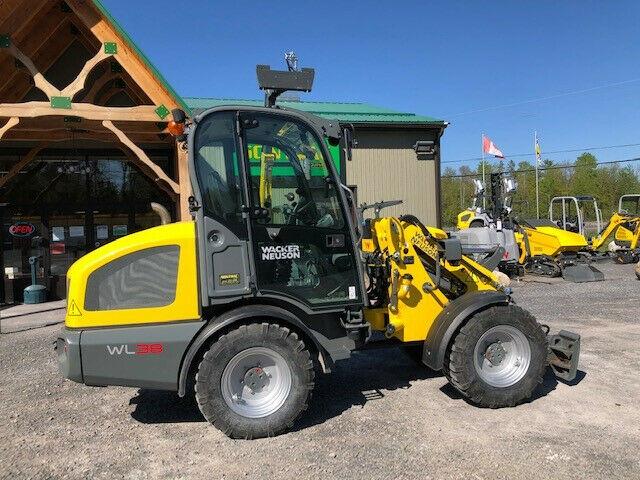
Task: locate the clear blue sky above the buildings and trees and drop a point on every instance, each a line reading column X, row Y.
column 435, row 58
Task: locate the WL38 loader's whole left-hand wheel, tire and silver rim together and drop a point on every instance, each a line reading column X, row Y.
column 255, row 381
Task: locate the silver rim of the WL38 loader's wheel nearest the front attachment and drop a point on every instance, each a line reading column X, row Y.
column 502, row 356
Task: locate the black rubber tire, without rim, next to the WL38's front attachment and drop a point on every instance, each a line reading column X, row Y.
column 462, row 373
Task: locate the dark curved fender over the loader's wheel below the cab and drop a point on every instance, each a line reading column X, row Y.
column 240, row 315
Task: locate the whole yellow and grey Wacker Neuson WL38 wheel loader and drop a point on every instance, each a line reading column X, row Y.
column 274, row 280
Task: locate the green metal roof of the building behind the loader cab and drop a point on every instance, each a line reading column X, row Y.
column 361, row 113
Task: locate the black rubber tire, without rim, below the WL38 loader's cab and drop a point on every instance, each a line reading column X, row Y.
column 208, row 387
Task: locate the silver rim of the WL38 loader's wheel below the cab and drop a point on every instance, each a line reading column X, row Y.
column 256, row 382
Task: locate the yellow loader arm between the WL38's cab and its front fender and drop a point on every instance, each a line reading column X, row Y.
column 425, row 276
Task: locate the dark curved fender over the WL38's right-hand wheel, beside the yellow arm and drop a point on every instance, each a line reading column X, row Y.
column 451, row 318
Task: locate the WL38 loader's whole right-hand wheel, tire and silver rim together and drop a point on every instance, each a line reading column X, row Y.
column 498, row 357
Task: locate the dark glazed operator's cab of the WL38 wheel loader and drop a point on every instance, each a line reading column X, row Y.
column 270, row 211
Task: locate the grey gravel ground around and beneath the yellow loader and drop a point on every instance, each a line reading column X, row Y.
column 378, row 416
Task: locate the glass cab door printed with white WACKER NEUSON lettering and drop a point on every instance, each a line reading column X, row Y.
column 301, row 239
